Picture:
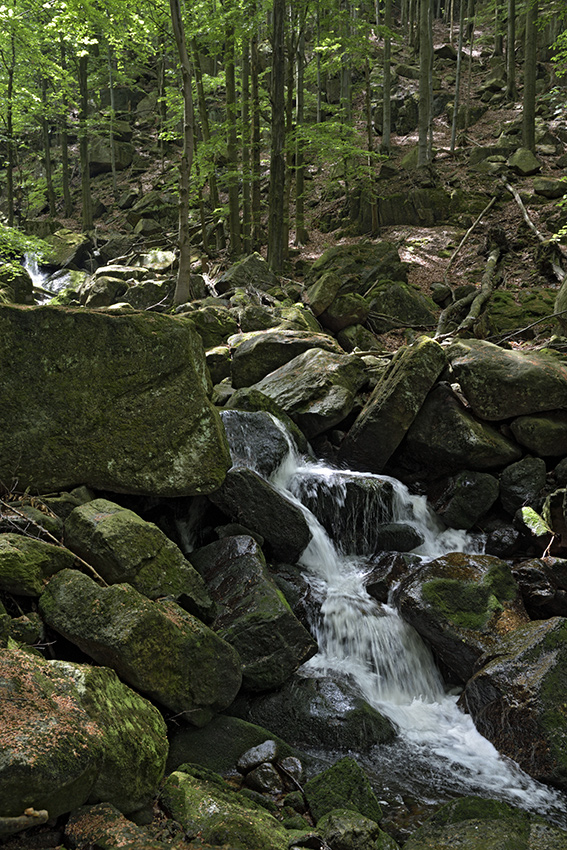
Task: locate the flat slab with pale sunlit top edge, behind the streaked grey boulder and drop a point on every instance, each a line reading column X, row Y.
column 256, row 354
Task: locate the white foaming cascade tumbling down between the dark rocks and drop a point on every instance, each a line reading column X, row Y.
column 395, row 672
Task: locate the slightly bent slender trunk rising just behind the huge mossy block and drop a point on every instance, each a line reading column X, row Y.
column 183, row 288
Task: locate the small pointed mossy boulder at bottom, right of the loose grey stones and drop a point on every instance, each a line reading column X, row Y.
column 342, row 786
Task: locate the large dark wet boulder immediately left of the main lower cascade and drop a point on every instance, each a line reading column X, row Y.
column 253, row 615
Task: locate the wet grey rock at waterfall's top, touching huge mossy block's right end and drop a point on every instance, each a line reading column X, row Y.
column 255, row 440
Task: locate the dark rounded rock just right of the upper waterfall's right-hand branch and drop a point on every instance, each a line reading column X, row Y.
column 465, row 498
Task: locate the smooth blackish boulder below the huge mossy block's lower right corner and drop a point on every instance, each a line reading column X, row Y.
column 247, row 498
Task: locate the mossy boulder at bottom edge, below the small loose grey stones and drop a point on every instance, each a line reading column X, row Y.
column 210, row 809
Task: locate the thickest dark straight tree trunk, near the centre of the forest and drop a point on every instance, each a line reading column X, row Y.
column 276, row 246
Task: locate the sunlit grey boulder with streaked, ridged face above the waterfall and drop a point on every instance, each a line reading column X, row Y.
column 316, row 389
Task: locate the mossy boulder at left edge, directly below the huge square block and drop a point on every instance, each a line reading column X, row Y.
column 26, row 563
